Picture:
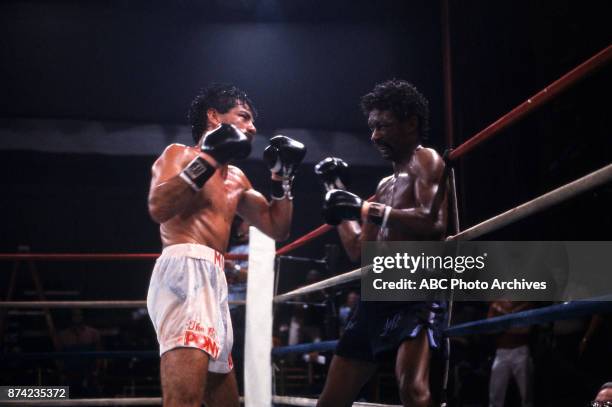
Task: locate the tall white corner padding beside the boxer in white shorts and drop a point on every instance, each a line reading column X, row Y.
column 258, row 334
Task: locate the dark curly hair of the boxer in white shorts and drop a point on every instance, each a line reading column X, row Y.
column 219, row 96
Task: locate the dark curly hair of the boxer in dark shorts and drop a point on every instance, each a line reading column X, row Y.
column 402, row 99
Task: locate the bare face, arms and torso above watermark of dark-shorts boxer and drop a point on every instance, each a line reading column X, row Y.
column 410, row 191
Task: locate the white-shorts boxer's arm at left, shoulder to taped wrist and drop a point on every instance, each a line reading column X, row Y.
column 169, row 195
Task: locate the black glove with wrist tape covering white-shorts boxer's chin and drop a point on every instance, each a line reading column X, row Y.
column 225, row 143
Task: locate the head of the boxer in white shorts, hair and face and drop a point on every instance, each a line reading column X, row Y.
column 221, row 103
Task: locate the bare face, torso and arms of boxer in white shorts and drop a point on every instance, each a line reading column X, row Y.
column 204, row 217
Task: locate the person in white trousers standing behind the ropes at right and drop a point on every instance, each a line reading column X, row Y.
column 512, row 358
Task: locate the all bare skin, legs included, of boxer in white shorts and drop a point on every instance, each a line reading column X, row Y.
column 204, row 217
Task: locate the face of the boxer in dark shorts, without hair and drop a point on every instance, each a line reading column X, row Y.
column 393, row 138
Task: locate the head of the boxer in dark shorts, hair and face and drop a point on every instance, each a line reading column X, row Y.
column 398, row 115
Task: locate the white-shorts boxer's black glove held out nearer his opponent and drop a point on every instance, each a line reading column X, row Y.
column 283, row 156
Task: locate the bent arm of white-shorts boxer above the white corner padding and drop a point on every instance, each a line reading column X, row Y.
column 273, row 218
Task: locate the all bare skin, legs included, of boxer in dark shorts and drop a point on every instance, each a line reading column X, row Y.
column 418, row 203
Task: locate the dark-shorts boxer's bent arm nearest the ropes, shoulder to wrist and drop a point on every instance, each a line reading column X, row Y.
column 429, row 215
